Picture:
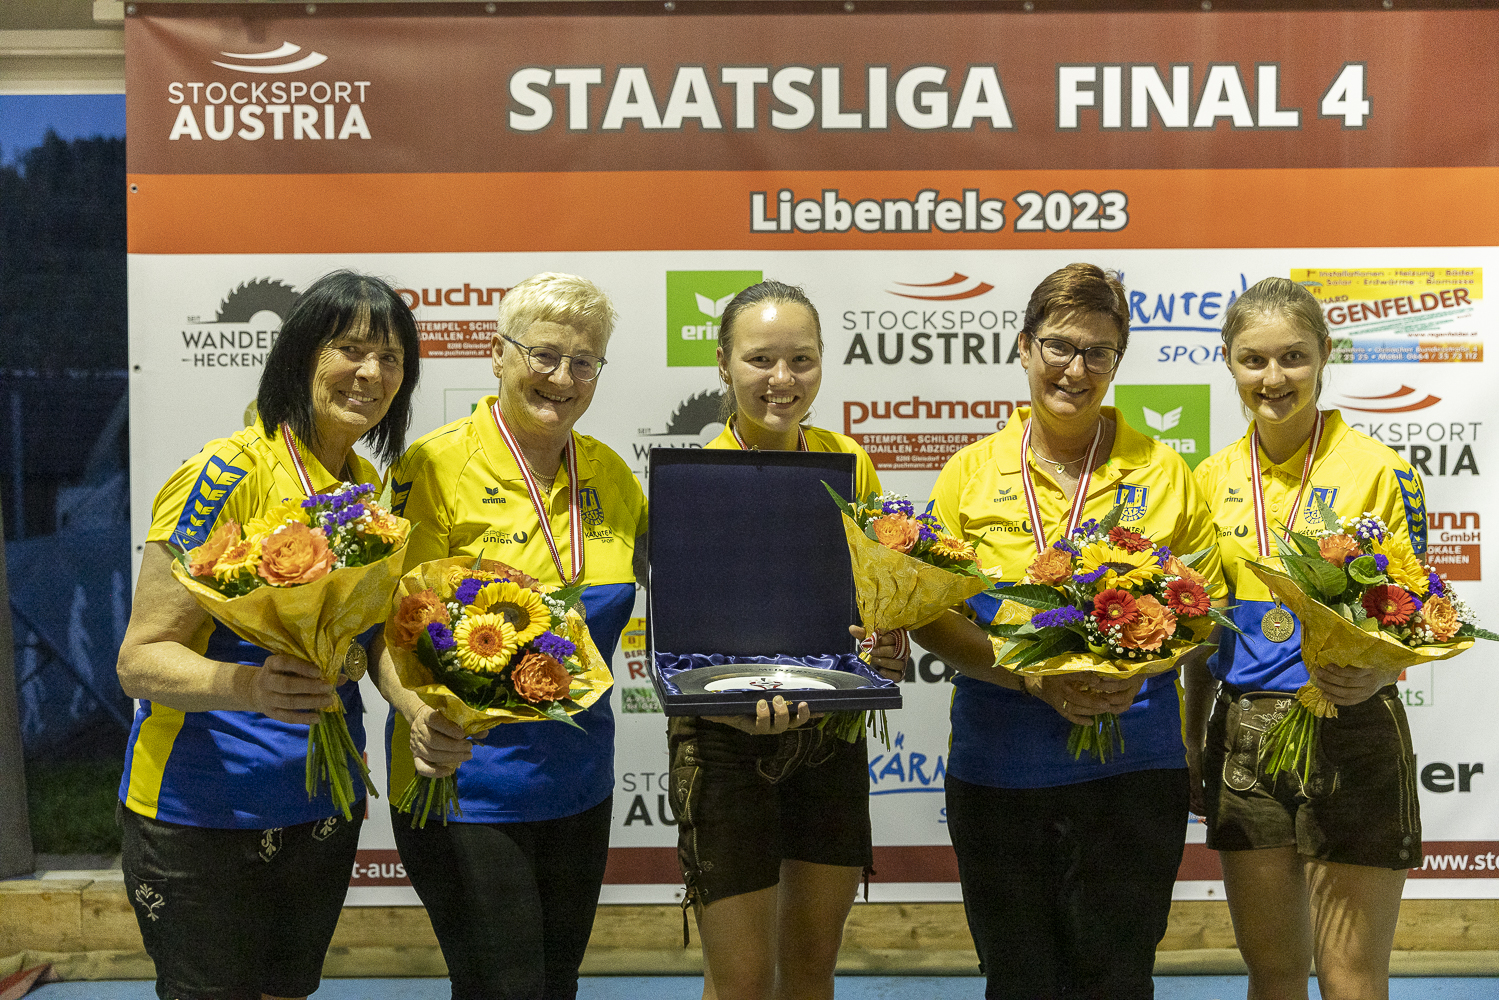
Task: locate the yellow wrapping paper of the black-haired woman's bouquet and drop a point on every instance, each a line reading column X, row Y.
column 314, row 621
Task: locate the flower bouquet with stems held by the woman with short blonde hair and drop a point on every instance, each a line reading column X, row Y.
column 485, row 644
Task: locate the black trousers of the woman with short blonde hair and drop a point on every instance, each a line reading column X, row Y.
column 512, row 903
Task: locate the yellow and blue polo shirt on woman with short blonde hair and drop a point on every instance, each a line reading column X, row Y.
column 465, row 497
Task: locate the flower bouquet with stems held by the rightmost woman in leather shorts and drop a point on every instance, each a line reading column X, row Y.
column 1365, row 600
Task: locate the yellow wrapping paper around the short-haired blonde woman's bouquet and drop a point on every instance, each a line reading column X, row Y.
column 476, row 722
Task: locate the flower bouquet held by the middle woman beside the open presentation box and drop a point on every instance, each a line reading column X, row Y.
column 906, row 570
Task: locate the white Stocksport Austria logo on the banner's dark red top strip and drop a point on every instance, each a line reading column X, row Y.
column 268, row 95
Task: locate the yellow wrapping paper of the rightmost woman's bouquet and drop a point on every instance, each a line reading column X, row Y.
column 1329, row 639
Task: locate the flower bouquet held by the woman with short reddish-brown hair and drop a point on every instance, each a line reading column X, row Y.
column 1109, row 602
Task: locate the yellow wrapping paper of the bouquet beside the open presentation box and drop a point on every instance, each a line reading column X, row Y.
column 900, row 591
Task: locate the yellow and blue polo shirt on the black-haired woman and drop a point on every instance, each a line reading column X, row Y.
column 230, row 770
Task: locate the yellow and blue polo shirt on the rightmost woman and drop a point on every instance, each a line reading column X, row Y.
column 1353, row 475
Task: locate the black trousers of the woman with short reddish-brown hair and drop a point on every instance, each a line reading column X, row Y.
column 1068, row 888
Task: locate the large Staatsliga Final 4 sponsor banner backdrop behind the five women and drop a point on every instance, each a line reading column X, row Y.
column 918, row 175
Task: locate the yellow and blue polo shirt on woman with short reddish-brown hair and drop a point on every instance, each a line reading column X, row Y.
column 1004, row 738
